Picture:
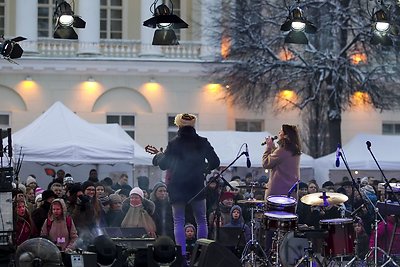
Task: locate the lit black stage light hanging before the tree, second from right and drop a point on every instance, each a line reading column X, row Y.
column 296, row 26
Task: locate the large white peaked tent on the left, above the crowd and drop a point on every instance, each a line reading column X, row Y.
column 59, row 136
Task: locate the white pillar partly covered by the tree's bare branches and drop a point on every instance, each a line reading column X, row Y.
column 210, row 45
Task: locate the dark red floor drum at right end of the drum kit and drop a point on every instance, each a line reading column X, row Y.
column 340, row 240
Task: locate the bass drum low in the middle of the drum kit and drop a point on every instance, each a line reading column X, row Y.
column 292, row 249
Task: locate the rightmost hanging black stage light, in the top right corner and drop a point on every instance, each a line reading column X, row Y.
column 382, row 28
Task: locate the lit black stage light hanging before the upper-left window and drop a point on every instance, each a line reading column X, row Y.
column 65, row 21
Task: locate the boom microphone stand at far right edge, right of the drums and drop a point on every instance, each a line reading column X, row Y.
column 376, row 248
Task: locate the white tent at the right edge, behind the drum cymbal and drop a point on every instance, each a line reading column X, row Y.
column 384, row 147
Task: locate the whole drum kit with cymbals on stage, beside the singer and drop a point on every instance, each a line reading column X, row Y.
column 292, row 246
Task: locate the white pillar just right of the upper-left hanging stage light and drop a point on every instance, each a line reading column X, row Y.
column 89, row 37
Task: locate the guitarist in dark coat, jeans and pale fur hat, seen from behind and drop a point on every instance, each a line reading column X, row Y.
column 187, row 158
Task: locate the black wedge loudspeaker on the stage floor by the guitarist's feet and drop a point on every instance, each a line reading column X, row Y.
column 209, row 253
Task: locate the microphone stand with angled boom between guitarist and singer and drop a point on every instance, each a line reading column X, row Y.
column 219, row 190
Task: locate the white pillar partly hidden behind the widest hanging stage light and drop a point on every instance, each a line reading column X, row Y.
column 146, row 33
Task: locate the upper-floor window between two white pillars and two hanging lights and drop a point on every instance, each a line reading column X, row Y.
column 111, row 19
